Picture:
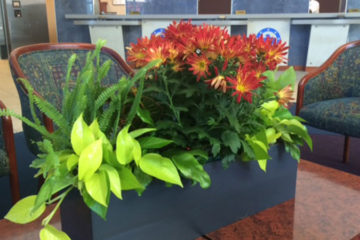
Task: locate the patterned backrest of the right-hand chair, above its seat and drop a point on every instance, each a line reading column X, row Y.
column 339, row 76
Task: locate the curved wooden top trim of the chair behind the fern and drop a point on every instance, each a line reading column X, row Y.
column 15, row 66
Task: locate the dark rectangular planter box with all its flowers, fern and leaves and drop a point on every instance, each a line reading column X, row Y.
column 199, row 96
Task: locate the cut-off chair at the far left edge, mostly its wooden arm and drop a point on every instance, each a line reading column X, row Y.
column 8, row 165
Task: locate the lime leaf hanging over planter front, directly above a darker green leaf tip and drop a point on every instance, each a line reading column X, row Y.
column 98, row 188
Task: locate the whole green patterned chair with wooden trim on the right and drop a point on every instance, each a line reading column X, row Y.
column 329, row 98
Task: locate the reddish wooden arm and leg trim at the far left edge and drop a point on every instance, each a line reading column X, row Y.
column 10, row 149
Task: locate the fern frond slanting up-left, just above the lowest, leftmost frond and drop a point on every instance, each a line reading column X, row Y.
column 52, row 113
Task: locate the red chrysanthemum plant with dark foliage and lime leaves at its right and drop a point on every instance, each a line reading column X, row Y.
column 218, row 92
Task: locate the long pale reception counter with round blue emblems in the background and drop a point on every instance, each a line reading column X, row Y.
column 311, row 37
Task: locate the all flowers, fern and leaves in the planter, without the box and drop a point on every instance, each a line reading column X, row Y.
column 200, row 95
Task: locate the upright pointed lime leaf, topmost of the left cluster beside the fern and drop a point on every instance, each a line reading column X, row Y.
column 81, row 135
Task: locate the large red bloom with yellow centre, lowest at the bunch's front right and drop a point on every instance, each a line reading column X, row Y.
column 244, row 84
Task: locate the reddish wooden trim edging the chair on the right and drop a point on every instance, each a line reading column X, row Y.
column 322, row 68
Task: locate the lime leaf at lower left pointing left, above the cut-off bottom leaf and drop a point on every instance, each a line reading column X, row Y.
column 21, row 212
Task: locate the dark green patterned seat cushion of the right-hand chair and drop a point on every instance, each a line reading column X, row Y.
column 340, row 115
